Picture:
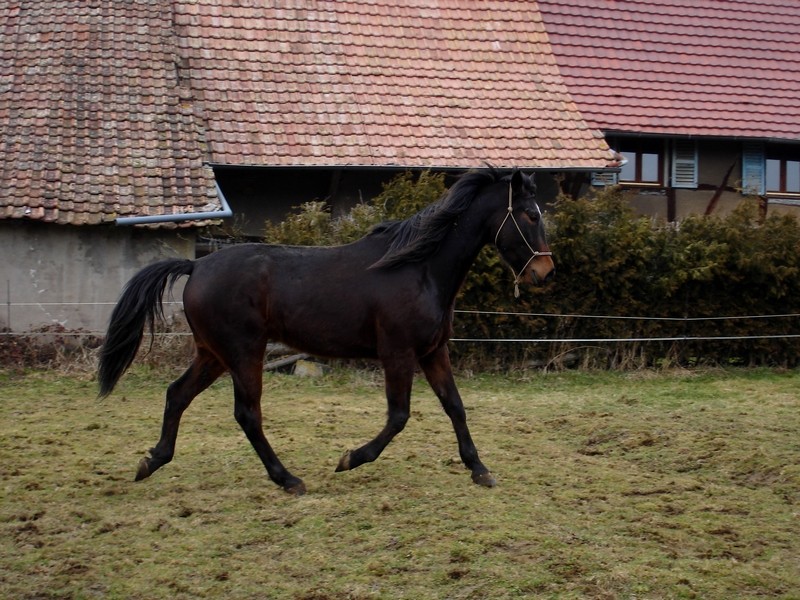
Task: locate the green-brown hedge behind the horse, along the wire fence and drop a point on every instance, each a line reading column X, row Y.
column 611, row 263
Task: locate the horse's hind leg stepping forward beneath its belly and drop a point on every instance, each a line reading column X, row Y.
column 247, row 411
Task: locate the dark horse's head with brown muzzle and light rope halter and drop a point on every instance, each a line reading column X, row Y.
column 520, row 234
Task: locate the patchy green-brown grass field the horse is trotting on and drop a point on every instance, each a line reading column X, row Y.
column 611, row 485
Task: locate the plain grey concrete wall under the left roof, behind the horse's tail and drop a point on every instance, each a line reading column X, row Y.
column 72, row 276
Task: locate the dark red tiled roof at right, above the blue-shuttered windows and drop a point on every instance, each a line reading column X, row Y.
column 691, row 67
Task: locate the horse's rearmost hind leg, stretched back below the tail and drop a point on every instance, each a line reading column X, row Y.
column 204, row 370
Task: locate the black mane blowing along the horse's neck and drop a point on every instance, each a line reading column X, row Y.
column 417, row 237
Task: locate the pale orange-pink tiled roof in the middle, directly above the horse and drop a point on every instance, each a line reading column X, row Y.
column 430, row 83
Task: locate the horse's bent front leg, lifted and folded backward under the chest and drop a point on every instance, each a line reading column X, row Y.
column 399, row 376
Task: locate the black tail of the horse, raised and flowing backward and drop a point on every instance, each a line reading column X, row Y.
column 140, row 303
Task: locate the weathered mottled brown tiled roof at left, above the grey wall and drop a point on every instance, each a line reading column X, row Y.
column 93, row 122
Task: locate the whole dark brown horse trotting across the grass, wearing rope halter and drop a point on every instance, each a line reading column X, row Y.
column 388, row 296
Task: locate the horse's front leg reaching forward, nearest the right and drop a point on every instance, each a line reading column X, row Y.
column 439, row 373
